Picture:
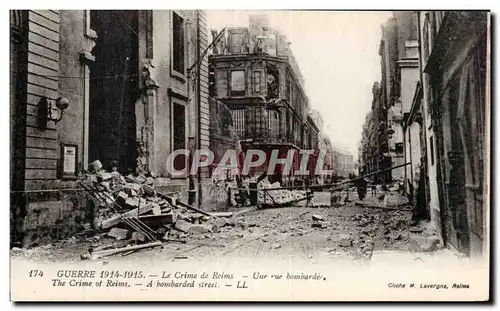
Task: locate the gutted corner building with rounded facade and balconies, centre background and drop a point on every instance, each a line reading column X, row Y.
column 257, row 78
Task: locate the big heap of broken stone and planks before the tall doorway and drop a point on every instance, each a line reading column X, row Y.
column 130, row 209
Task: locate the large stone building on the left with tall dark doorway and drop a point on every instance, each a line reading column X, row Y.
column 132, row 86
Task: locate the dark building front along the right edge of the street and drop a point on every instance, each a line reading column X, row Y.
column 454, row 102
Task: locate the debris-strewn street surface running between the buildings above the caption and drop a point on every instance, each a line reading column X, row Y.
column 290, row 233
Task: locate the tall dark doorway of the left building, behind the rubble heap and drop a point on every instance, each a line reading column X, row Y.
column 114, row 84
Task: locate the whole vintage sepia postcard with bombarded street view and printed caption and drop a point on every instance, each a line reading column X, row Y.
column 250, row 155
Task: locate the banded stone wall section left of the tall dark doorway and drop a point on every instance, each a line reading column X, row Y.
column 54, row 209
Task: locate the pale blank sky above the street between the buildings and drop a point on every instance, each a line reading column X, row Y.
column 337, row 53
